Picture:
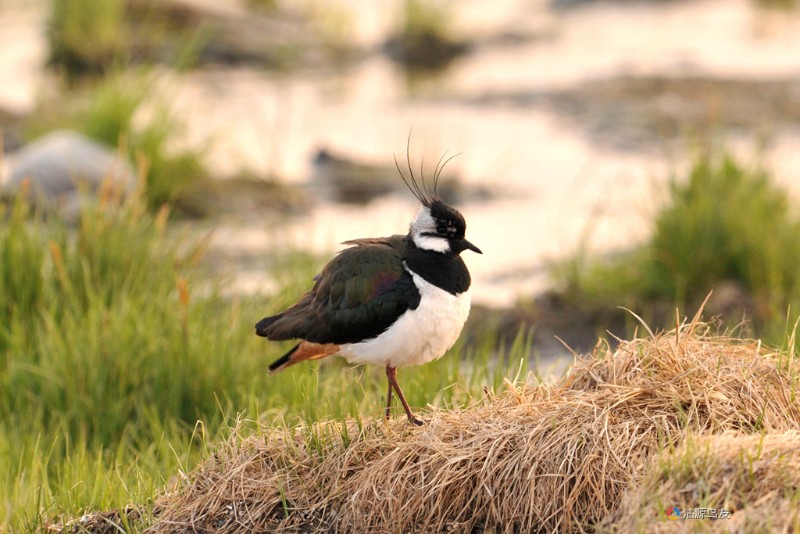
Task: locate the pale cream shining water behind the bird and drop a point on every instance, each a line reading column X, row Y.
column 556, row 184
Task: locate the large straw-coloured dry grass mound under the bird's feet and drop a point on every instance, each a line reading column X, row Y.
column 533, row 458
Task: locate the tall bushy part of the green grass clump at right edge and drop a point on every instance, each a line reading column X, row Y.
column 727, row 222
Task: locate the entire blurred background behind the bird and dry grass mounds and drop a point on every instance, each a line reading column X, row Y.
column 174, row 170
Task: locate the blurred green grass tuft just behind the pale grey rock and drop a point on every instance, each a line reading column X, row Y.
column 108, row 112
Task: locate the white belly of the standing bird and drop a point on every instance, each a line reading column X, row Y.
column 418, row 336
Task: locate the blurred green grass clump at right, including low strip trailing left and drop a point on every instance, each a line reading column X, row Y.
column 722, row 222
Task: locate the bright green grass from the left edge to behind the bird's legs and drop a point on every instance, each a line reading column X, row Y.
column 113, row 348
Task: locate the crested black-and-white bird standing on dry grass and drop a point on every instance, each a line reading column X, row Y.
column 395, row 301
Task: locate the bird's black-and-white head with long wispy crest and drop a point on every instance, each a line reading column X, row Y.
column 437, row 226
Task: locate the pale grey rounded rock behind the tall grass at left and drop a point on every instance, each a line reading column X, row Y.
column 62, row 168
